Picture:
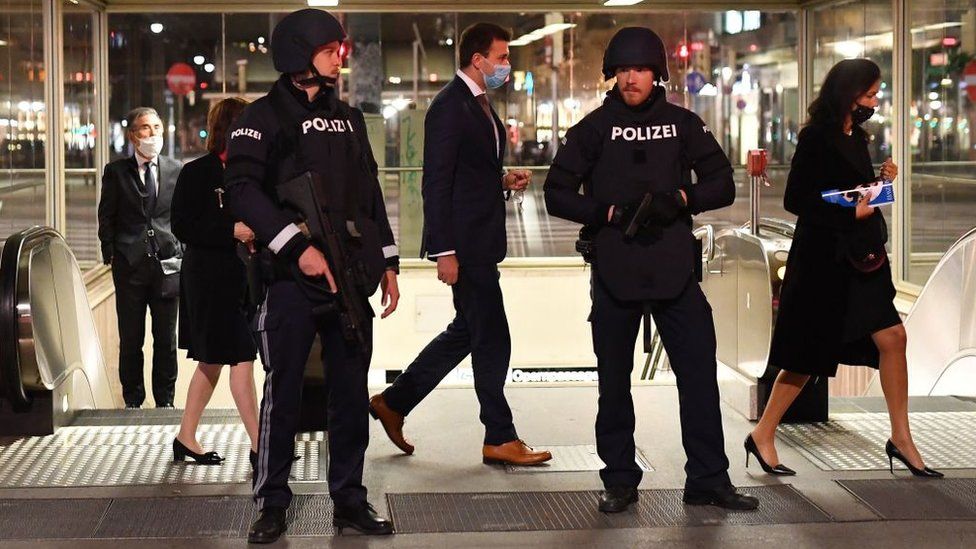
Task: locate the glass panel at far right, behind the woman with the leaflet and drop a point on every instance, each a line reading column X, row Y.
column 941, row 138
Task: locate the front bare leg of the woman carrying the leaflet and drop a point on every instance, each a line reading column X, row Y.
column 894, row 383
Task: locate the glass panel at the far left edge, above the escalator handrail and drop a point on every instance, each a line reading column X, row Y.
column 23, row 116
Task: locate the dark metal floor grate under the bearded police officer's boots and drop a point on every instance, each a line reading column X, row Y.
column 527, row 511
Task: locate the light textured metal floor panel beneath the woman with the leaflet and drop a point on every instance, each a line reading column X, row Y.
column 855, row 441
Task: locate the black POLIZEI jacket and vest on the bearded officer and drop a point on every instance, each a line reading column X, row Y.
column 617, row 154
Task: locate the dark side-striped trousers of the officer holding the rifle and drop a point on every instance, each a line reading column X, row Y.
column 285, row 330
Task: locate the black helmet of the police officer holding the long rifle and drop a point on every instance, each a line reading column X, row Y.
column 297, row 36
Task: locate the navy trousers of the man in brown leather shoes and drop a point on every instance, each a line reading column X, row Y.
column 479, row 328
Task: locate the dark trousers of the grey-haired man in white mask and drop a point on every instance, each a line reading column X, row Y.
column 137, row 287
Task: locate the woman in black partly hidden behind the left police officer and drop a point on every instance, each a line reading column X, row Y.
column 213, row 326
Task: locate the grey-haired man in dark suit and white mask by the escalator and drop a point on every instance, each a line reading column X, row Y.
column 134, row 230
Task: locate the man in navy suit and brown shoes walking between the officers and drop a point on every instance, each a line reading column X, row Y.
column 464, row 231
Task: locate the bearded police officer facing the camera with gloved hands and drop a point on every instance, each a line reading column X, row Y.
column 634, row 156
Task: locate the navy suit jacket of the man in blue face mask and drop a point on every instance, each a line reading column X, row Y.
column 464, row 204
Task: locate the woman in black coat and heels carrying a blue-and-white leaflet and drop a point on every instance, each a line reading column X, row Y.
column 836, row 304
